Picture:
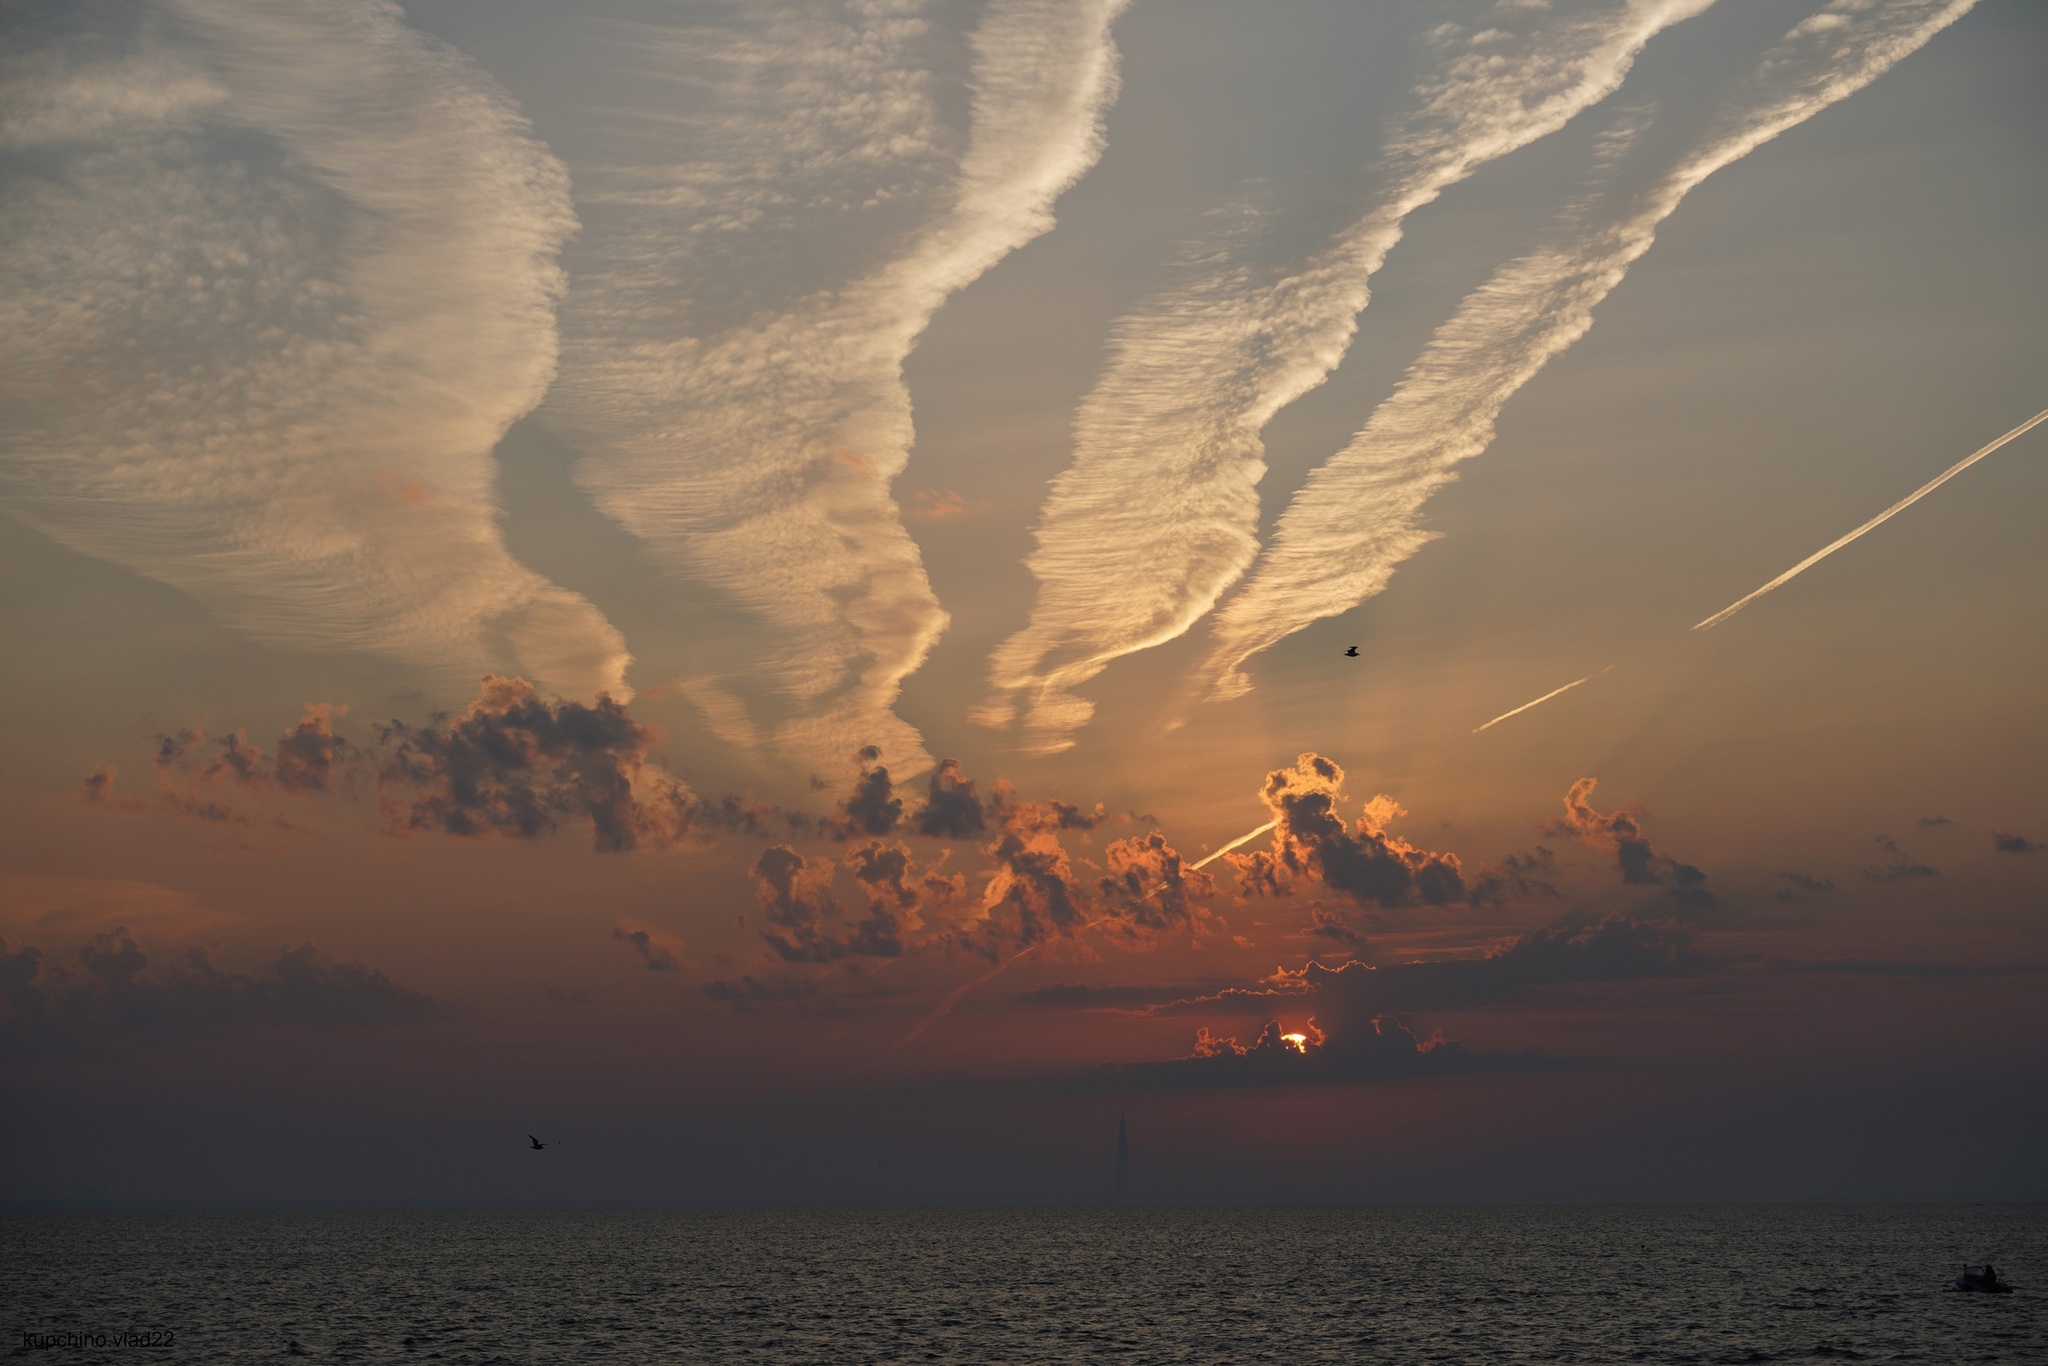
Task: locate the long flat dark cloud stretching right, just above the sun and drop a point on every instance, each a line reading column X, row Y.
column 1547, row 957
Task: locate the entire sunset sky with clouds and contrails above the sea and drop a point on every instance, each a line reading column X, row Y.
column 822, row 601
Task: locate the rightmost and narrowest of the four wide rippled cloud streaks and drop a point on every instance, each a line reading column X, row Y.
column 1361, row 515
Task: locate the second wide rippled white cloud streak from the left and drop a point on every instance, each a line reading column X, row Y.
column 751, row 439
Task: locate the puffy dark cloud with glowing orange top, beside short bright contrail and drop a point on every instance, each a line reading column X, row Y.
column 1314, row 843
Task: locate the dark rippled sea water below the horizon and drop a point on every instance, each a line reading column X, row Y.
column 1125, row 1285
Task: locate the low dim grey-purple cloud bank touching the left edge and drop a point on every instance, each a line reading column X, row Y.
column 108, row 994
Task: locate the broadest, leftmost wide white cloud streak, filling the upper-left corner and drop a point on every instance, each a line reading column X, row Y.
column 280, row 275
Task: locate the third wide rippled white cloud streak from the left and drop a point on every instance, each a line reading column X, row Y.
column 1158, row 513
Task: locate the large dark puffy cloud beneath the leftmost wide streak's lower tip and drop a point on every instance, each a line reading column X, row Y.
column 517, row 765
